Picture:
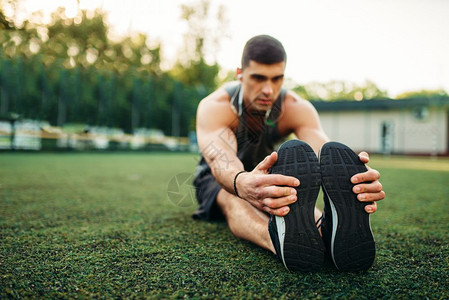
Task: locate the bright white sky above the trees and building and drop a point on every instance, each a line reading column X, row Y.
column 400, row 45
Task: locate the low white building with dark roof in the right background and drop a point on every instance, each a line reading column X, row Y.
column 413, row 126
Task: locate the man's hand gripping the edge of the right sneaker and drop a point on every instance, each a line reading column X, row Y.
column 368, row 188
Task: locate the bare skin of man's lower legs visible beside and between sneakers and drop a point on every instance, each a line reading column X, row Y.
column 247, row 222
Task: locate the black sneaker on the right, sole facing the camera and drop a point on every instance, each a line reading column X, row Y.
column 346, row 226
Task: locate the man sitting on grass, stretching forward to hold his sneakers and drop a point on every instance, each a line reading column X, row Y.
column 267, row 197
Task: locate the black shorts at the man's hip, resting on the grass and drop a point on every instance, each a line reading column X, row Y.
column 206, row 189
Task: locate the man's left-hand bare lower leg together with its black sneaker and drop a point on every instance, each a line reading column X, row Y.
column 295, row 236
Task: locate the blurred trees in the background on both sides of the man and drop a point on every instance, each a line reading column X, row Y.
column 71, row 71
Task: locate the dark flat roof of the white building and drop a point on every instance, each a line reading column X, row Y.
column 384, row 104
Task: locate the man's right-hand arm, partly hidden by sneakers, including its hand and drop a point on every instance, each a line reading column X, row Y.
column 301, row 117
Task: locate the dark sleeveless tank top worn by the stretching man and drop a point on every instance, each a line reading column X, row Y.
column 254, row 144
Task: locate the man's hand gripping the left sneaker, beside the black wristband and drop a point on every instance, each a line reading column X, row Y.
column 271, row 193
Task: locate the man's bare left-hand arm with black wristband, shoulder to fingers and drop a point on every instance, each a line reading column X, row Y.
column 217, row 142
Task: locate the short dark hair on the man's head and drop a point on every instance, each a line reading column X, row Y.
column 263, row 49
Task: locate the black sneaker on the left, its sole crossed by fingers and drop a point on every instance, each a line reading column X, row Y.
column 295, row 237
